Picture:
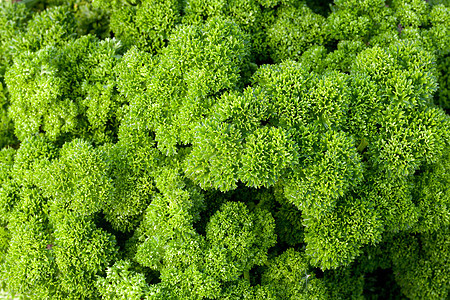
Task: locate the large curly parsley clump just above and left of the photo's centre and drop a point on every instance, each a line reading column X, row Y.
column 178, row 98
